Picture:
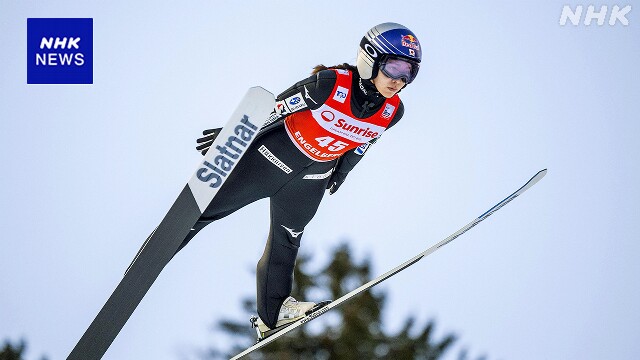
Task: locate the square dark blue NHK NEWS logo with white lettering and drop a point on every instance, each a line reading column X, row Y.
column 59, row 51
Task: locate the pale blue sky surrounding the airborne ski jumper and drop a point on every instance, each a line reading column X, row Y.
column 504, row 91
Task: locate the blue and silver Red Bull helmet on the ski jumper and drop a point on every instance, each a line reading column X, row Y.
column 384, row 41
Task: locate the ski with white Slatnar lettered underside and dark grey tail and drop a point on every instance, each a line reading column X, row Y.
column 161, row 245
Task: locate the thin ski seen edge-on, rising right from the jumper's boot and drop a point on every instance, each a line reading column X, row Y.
column 322, row 310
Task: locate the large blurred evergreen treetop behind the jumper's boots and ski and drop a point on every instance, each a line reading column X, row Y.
column 352, row 331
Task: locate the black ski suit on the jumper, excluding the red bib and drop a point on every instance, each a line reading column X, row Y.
column 293, row 182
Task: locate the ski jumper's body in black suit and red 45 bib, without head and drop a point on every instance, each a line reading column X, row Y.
column 324, row 125
